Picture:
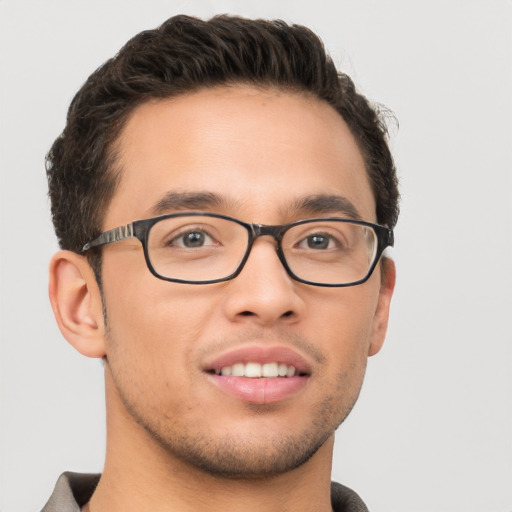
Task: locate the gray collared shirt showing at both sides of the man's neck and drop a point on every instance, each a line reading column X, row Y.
column 74, row 490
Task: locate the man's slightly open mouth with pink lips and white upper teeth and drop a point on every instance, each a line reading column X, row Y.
column 259, row 375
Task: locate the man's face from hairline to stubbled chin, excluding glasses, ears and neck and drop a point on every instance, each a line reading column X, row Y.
column 261, row 153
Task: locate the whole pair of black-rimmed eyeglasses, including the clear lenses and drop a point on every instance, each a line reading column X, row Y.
column 203, row 248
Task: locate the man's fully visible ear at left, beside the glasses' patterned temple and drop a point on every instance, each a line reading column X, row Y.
column 77, row 303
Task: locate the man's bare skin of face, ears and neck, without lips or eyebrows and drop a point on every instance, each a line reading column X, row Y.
column 168, row 426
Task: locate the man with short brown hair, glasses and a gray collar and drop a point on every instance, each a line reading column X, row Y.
column 223, row 198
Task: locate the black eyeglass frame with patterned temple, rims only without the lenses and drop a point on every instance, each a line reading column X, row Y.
column 140, row 229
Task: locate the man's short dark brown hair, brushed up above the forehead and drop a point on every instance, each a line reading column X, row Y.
column 186, row 54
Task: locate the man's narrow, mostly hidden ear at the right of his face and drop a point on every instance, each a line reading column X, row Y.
column 380, row 320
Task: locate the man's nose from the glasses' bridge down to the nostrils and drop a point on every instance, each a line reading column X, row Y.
column 263, row 292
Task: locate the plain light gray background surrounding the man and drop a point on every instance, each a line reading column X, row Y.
column 432, row 429
